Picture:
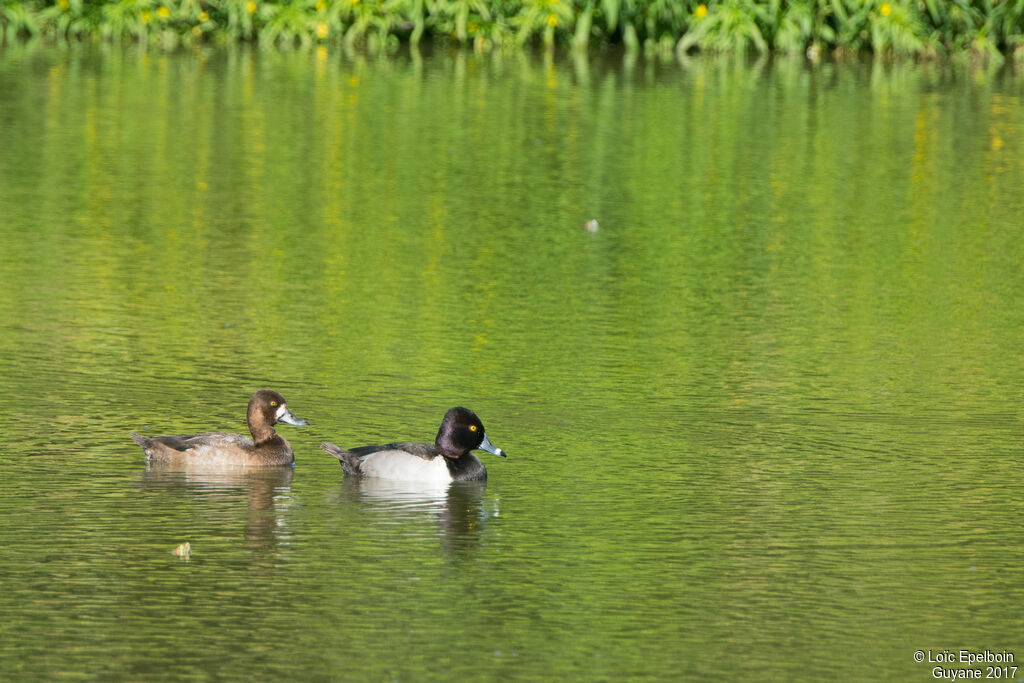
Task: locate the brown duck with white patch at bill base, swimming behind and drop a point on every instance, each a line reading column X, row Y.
column 266, row 449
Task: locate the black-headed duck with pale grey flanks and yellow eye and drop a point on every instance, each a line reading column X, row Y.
column 448, row 459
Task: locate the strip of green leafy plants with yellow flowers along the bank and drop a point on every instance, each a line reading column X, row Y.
column 987, row 29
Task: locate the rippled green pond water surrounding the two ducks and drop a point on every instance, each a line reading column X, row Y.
column 764, row 424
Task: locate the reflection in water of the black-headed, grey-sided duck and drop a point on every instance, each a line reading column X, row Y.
column 458, row 508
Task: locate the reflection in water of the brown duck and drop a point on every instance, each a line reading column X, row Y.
column 263, row 487
